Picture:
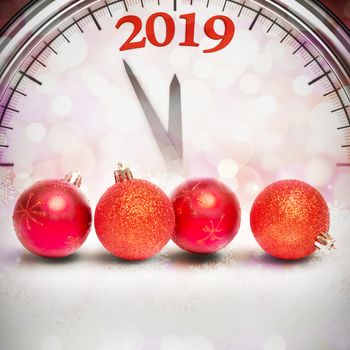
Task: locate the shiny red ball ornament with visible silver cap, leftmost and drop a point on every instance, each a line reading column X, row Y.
column 52, row 218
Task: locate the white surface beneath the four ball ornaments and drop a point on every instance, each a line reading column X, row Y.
column 237, row 299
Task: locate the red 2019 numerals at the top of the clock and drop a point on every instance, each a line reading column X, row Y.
column 190, row 26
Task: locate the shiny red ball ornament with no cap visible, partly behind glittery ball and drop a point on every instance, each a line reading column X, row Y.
column 207, row 215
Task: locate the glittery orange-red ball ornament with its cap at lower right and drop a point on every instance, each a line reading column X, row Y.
column 290, row 220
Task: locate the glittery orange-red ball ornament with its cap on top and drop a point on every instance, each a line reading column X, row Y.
column 134, row 219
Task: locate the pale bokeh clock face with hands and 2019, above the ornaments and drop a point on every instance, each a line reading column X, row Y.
column 247, row 97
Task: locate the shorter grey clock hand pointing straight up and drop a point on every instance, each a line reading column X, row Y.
column 175, row 117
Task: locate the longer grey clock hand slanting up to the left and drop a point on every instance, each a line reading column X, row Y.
column 165, row 144
